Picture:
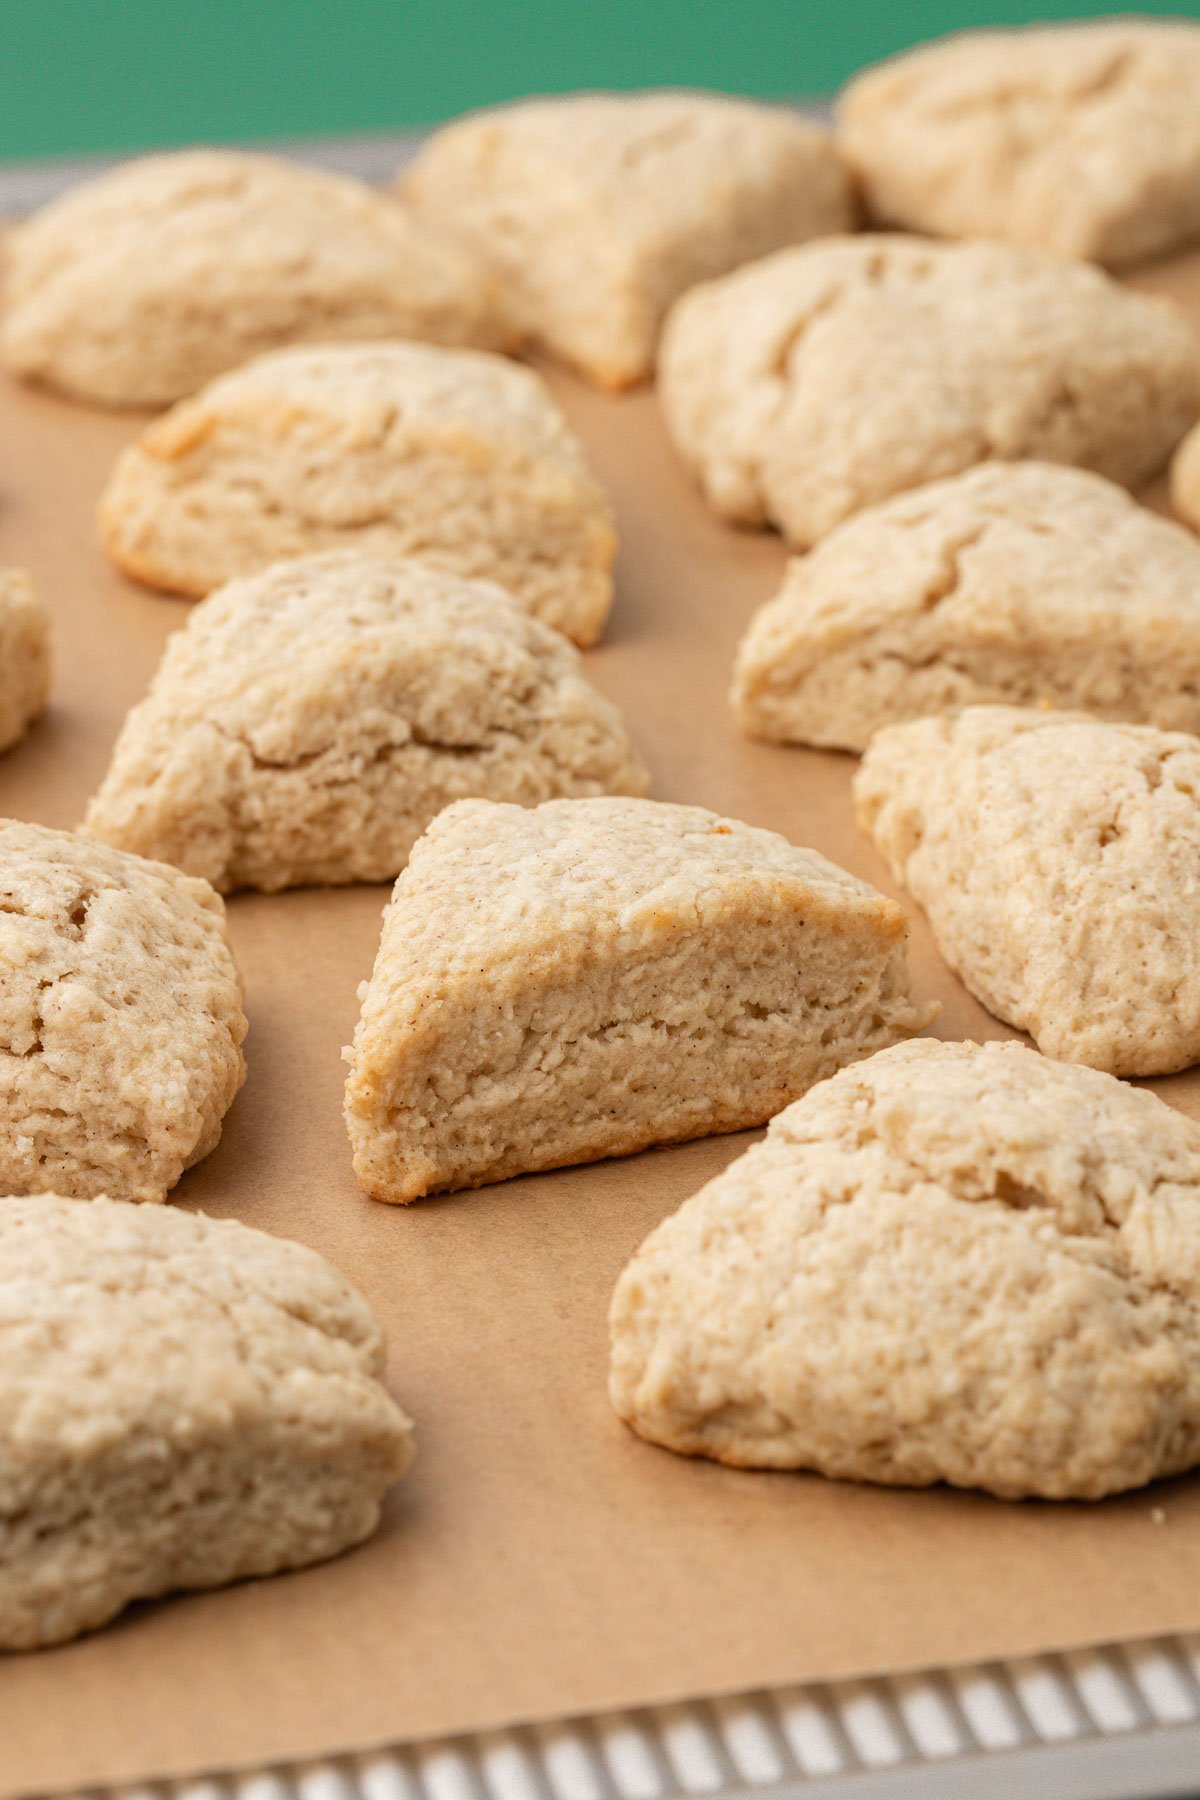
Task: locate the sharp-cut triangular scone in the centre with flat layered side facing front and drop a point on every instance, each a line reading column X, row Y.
column 593, row 976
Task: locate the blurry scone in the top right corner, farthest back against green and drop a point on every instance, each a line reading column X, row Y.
column 1082, row 139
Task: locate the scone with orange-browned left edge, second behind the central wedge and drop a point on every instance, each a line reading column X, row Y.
column 452, row 456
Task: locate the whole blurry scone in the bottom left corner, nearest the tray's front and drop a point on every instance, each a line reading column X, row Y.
column 183, row 1403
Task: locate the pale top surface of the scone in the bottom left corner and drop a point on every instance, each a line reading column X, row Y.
column 94, row 1288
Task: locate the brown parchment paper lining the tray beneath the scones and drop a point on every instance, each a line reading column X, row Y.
column 539, row 1561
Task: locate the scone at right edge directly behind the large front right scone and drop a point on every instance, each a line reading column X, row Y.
column 1057, row 859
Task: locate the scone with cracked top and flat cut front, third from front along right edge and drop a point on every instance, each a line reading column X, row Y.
column 1017, row 582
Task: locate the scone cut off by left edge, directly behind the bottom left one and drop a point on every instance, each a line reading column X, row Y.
column 121, row 1020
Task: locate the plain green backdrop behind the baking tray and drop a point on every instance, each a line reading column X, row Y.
column 125, row 75
